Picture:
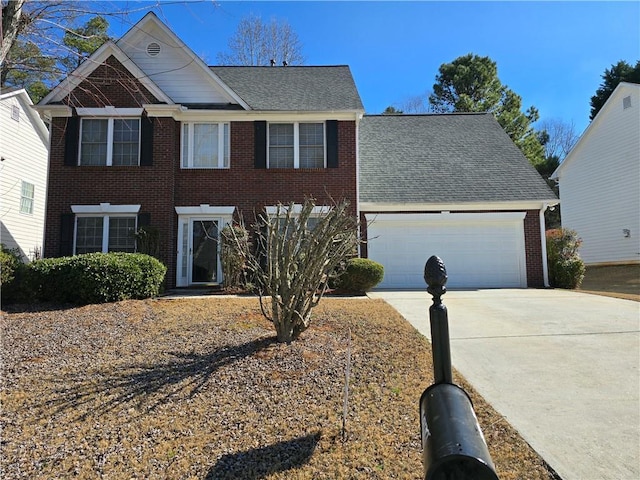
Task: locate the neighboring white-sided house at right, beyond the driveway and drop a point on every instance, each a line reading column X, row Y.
column 599, row 182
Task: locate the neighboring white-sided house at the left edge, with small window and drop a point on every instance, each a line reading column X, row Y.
column 24, row 152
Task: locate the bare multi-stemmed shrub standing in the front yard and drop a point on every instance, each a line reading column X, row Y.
column 299, row 248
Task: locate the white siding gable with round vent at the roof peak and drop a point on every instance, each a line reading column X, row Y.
column 174, row 68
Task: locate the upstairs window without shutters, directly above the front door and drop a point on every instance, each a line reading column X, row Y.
column 205, row 145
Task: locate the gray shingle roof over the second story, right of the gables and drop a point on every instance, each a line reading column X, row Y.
column 293, row 88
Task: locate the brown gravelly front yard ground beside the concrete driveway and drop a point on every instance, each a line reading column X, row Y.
column 198, row 389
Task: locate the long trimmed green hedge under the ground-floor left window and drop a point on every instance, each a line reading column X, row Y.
column 96, row 277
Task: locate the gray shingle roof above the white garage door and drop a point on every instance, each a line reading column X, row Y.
column 446, row 158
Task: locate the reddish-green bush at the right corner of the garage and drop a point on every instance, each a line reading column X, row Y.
column 566, row 268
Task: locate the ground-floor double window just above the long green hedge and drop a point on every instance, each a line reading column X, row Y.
column 105, row 234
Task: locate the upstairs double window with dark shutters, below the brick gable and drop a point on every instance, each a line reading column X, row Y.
column 110, row 141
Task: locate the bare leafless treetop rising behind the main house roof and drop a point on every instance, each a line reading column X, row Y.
column 256, row 43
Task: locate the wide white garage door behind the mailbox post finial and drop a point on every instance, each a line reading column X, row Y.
column 479, row 250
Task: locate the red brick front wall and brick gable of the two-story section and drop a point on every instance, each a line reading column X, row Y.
column 164, row 185
